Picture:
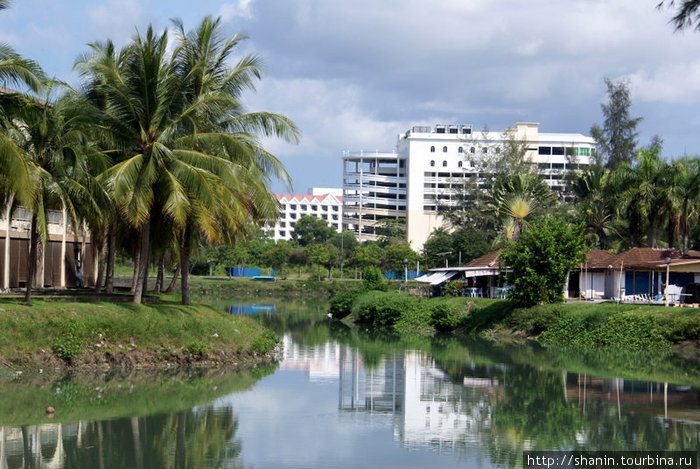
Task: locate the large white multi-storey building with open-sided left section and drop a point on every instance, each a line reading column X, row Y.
column 429, row 166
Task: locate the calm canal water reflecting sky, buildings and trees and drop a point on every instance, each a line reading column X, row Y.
column 346, row 398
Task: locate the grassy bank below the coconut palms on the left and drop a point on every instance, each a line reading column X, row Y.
column 54, row 334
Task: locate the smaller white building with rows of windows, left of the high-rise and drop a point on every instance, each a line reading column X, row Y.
column 323, row 203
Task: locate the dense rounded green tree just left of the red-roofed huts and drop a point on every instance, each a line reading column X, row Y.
column 541, row 259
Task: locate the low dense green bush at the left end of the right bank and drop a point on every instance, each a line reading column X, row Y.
column 383, row 308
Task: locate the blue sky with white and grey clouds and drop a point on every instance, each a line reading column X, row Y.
column 353, row 75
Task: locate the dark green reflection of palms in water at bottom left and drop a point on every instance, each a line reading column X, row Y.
column 200, row 437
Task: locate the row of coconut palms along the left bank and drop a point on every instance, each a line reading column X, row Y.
column 153, row 153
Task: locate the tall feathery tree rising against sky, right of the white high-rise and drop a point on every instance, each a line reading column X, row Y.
column 617, row 138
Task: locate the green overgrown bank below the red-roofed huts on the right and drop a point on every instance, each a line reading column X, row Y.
column 633, row 327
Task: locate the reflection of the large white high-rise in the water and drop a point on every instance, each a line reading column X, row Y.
column 428, row 407
